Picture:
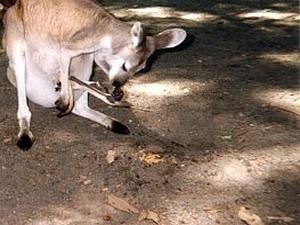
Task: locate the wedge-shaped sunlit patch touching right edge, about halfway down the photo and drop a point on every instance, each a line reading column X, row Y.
column 286, row 100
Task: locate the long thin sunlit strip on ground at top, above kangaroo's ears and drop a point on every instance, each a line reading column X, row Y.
column 164, row 12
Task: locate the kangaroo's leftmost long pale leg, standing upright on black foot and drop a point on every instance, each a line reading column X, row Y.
column 17, row 64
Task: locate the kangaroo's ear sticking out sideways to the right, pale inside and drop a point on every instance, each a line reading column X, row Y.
column 170, row 38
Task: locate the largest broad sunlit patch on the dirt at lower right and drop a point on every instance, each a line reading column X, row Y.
column 247, row 170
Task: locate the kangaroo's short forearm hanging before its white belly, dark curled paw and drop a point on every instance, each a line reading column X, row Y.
column 65, row 102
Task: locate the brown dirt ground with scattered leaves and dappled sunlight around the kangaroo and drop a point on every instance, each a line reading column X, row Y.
column 215, row 127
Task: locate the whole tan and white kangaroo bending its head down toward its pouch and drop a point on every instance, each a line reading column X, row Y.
column 51, row 43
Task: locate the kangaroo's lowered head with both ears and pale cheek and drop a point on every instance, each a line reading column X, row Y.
column 133, row 55
